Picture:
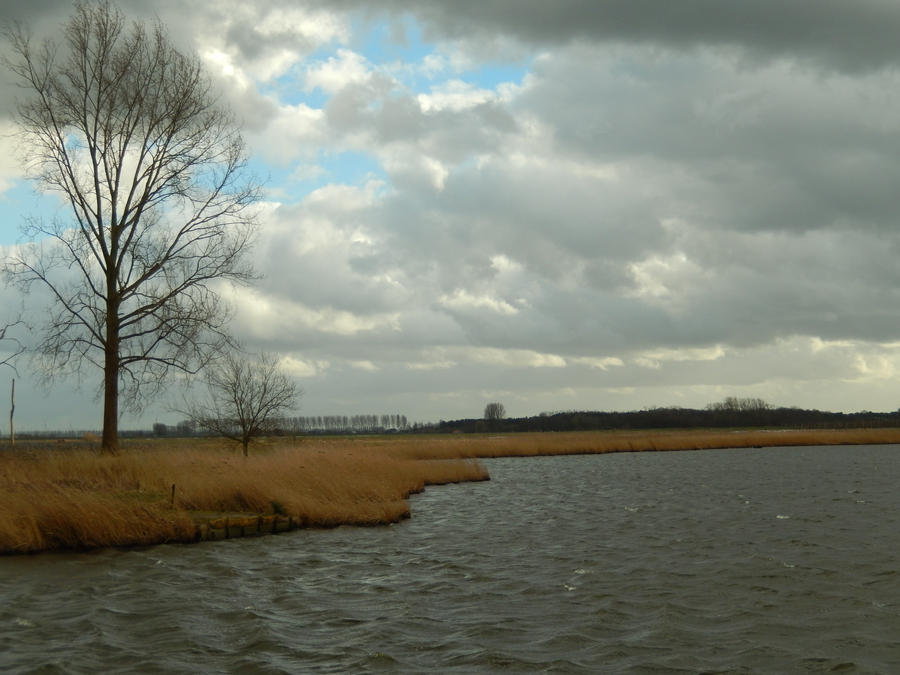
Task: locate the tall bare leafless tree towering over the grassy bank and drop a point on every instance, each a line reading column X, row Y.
column 127, row 129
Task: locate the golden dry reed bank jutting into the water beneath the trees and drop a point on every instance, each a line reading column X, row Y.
column 59, row 498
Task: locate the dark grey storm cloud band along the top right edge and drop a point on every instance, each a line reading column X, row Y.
column 846, row 35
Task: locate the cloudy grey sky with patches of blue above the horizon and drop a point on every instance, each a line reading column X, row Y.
column 569, row 205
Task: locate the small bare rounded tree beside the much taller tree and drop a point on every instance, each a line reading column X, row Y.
column 246, row 398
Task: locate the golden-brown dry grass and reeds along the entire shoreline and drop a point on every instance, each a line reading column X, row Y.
column 66, row 495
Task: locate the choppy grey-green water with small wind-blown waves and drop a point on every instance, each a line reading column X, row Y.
column 775, row 560
